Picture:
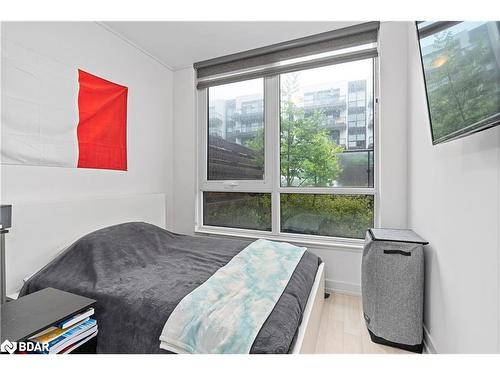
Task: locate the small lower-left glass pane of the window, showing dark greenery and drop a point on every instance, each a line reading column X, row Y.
column 237, row 210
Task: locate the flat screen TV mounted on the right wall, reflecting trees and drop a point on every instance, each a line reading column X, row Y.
column 461, row 64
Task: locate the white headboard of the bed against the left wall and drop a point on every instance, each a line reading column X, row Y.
column 40, row 230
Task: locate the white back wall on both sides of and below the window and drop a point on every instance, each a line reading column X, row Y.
column 342, row 265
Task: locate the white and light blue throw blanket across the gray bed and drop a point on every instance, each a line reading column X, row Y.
column 225, row 314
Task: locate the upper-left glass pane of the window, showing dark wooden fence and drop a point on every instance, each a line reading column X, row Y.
column 236, row 131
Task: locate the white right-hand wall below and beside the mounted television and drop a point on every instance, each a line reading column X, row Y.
column 454, row 203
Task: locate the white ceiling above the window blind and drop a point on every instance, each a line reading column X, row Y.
column 180, row 44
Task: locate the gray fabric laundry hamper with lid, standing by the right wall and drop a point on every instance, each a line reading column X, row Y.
column 392, row 281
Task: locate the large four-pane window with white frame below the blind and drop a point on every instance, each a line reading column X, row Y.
column 290, row 154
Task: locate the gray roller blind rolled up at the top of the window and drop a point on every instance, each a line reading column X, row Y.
column 337, row 46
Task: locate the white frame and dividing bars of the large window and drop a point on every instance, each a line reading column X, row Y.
column 271, row 182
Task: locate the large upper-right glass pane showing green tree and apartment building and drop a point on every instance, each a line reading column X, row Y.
column 326, row 112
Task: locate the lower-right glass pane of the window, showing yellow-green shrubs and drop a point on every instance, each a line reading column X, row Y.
column 327, row 215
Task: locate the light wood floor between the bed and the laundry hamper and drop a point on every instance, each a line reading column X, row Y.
column 343, row 329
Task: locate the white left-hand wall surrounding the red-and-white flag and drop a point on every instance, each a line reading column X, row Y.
column 89, row 46
